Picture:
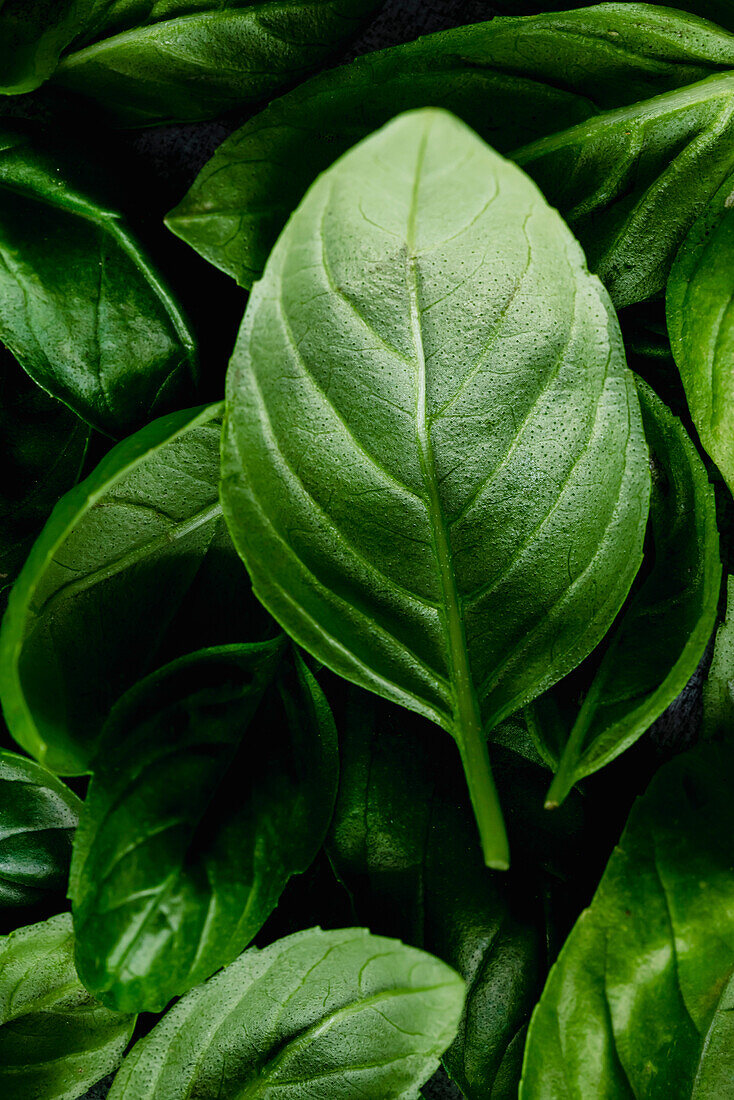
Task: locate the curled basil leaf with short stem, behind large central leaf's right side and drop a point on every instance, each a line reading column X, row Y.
column 662, row 633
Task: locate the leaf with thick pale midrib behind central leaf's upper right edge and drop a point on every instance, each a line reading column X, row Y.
column 632, row 183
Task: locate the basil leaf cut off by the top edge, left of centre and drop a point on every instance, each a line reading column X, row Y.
column 168, row 61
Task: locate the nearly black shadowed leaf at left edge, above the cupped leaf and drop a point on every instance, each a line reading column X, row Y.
column 42, row 449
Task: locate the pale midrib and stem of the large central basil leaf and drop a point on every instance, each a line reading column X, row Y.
column 467, row 718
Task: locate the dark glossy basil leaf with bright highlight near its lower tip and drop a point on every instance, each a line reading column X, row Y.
column 206, row 799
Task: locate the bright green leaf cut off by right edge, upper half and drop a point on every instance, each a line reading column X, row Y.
column 700, row 311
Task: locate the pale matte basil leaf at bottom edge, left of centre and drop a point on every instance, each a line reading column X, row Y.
column 335, row 1014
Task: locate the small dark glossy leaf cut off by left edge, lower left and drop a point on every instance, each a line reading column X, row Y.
column 38, row 819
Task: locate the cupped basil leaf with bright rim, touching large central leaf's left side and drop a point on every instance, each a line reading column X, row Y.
column 134, row 569
